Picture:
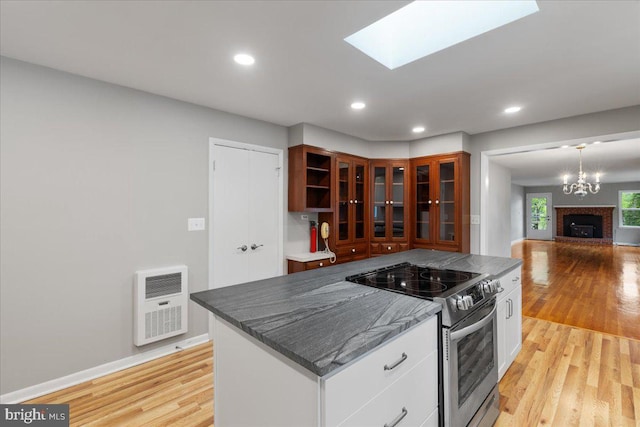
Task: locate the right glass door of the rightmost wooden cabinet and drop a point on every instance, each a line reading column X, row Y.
column 446, row 202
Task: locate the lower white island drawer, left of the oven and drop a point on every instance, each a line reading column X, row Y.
column 413, row 397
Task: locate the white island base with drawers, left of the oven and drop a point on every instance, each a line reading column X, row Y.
column 255, row 385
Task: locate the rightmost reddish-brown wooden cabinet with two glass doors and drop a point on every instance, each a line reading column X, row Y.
column 440, row 191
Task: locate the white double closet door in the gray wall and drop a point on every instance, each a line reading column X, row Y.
column 246, row 213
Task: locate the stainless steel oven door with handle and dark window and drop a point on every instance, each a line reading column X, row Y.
column 470, row 364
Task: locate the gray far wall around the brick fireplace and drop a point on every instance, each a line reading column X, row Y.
column 608, row 195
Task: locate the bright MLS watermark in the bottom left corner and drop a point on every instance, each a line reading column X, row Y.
column 35, row 415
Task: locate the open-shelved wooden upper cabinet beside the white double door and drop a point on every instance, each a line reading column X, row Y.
column 311, row 179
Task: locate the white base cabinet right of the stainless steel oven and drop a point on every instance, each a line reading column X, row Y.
column 509, row 320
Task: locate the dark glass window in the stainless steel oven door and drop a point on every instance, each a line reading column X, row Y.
column 475, row 360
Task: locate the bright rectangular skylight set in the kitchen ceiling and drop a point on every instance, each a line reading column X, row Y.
column 425, row 27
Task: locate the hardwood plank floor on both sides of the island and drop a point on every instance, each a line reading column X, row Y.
column 582, row 373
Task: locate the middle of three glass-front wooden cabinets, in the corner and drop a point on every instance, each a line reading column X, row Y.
column 389, row 207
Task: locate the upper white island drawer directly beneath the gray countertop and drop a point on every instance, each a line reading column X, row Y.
column 353, row 387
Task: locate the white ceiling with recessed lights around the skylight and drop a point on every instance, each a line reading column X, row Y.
column 570, row 58
